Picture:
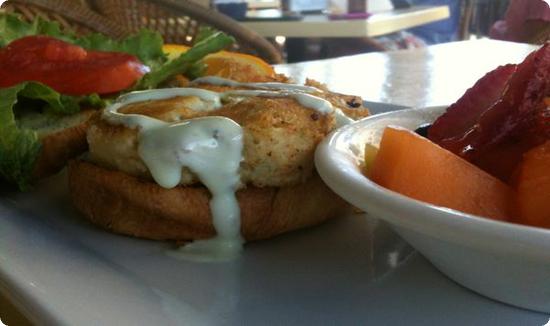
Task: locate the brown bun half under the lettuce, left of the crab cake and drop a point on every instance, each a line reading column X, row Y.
column 61, row 143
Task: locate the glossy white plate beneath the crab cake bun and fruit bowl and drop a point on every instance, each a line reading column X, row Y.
column 353, row 270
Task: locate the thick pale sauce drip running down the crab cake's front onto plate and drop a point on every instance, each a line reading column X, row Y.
column 211, row 147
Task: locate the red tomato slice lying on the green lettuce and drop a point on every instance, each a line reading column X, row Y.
column 67, row 68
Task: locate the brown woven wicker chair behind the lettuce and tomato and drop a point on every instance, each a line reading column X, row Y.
column 78, row 16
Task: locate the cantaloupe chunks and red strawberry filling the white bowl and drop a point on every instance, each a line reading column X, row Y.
column 487, row 155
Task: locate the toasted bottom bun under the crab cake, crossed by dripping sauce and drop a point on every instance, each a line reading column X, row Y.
column 131, row 206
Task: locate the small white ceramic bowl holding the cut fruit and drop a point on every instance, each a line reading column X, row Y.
column 504, row 261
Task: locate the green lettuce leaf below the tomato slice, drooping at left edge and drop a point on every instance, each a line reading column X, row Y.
column 19, row 147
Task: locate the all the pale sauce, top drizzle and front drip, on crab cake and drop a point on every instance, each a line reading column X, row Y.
column 198, row 144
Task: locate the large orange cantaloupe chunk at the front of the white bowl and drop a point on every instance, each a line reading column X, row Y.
column 414, row 166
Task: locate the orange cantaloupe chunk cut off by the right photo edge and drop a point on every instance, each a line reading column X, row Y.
column 533, row 187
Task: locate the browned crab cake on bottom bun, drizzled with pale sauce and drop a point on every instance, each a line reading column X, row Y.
column 274, row 187
